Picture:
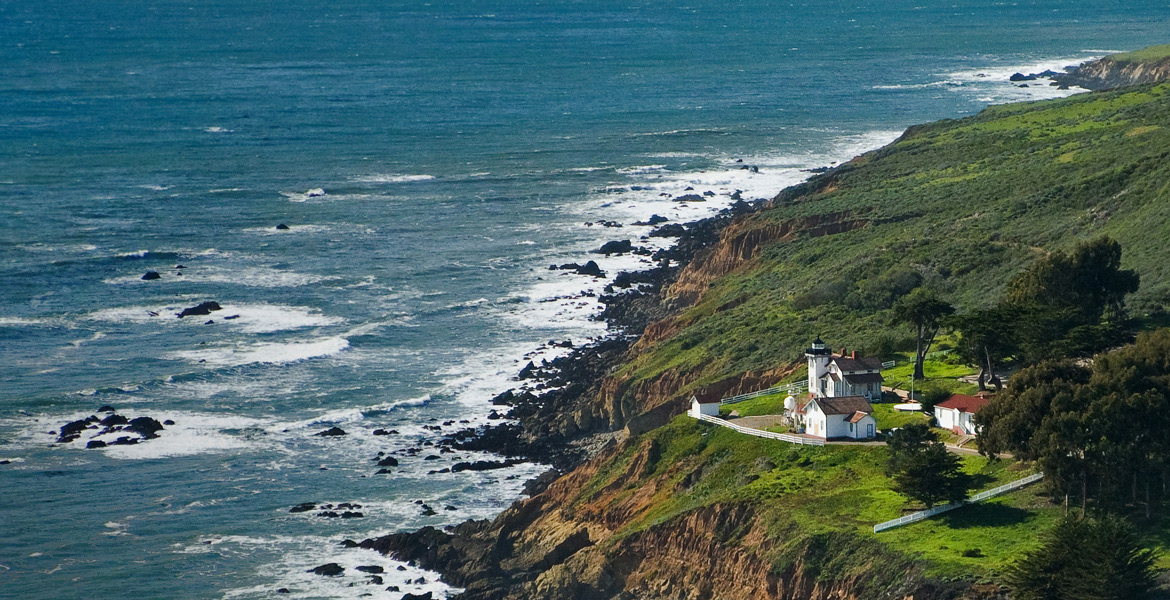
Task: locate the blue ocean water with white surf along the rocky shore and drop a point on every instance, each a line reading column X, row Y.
column 453, row 150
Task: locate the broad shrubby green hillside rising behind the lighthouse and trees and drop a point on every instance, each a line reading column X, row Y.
column 960, row 206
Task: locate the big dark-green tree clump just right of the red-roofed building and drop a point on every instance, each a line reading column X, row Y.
column 1099, row 433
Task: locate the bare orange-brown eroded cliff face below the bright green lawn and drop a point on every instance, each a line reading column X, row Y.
column 575, row 542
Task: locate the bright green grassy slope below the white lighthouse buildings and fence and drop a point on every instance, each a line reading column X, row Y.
column 804, row 493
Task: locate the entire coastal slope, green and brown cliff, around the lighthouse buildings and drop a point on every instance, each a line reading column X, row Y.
column 671, row 509
